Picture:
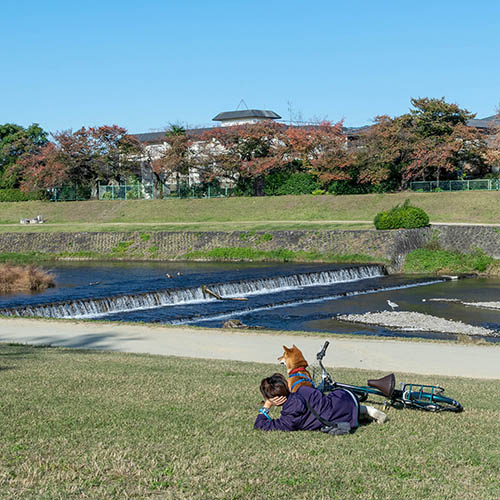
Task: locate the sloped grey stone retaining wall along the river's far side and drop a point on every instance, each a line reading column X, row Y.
column 389, row 245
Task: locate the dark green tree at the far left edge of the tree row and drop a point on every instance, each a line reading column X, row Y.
column 16, row 142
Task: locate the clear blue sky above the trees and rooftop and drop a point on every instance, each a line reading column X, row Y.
column 147, row 64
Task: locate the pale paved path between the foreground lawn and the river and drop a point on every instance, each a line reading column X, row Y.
column 477, row 361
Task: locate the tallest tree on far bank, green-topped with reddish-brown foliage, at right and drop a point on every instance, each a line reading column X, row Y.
column 432, row 141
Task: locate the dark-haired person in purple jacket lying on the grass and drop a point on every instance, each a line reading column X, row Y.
column 308, row 409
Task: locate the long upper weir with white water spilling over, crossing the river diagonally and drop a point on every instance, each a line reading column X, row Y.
column 88, row 308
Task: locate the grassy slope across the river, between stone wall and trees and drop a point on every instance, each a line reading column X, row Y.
column 480, row 207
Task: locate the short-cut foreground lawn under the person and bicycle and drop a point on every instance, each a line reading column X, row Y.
column 86, row 424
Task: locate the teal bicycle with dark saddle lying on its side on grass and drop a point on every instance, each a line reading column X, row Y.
column 416, row 396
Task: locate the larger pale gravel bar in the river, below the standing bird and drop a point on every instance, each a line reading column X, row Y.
column 413, row 321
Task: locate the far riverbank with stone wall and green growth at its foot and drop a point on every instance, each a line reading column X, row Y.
column 434, row 250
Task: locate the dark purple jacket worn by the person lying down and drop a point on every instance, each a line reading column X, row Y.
column 337, row 406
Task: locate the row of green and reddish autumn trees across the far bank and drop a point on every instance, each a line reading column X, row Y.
column 430, row 142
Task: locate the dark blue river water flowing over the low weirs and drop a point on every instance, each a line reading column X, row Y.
column 276, row 296
